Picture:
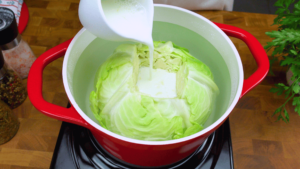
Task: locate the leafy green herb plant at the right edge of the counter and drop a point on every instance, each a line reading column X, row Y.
column 286, row 45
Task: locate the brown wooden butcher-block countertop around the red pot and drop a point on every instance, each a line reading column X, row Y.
column 258, row 141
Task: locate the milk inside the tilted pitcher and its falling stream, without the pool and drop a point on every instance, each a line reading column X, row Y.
column 130, row 18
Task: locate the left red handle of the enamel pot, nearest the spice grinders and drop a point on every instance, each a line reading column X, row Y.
column 35, row 83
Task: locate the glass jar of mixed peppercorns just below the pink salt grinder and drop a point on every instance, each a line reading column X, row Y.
column 12, row 90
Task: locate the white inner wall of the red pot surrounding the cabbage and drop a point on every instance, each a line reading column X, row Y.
column 203, row 39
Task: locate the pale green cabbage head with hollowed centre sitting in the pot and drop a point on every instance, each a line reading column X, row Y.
column 121, row 107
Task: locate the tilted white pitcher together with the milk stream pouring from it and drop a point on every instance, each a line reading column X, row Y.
column 120, row 20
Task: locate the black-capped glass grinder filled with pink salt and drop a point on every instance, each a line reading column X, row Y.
column 17, row 53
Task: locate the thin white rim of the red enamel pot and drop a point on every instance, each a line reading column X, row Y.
column 130, row 140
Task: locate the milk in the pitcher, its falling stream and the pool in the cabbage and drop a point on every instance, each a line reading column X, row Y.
column 132, row 19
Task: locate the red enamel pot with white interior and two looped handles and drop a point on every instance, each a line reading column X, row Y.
column 206, row 40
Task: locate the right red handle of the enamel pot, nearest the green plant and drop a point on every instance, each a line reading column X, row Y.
column 257, row 51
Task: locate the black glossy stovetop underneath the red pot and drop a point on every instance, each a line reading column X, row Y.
column 77, row 148
